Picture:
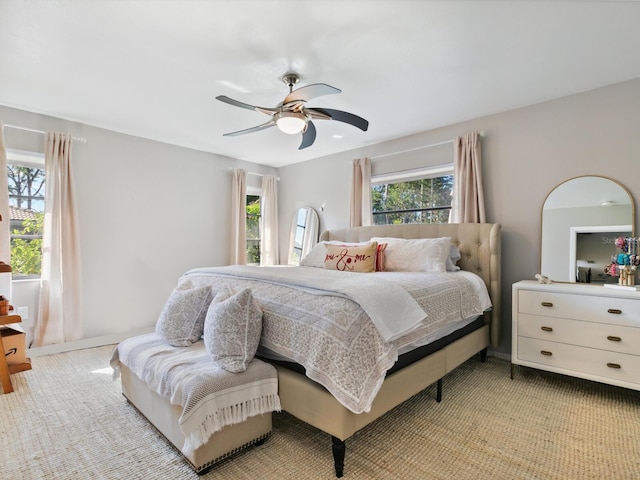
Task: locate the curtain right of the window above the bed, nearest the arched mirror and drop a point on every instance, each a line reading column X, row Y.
column 467, row 204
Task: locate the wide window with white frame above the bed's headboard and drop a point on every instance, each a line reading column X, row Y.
column 412, row 196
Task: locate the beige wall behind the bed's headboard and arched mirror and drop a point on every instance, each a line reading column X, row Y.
column 526, row 153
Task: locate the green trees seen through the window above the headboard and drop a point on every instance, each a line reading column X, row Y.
column 418, row 201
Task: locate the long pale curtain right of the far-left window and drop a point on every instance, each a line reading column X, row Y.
column 59, row 314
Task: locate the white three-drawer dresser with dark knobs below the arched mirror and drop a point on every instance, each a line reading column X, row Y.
column 583, row 330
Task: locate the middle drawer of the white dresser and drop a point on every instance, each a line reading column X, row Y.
column 613, row 338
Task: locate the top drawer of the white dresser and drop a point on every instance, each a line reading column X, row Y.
column 621, row 311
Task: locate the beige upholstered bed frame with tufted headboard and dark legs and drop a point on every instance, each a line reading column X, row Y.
column 480, row 246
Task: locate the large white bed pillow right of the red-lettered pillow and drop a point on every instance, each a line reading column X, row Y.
column 416, row 255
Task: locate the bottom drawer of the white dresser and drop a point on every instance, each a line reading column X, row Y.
column 571, row 359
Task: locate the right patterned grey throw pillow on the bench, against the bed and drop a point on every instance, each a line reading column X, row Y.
column 232, row 329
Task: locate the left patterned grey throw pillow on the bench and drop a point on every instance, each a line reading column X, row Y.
column 181, row 321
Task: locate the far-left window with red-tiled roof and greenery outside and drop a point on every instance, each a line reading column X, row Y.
column 26, row 181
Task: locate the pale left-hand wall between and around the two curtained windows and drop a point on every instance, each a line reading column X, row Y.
column 148, row 211
